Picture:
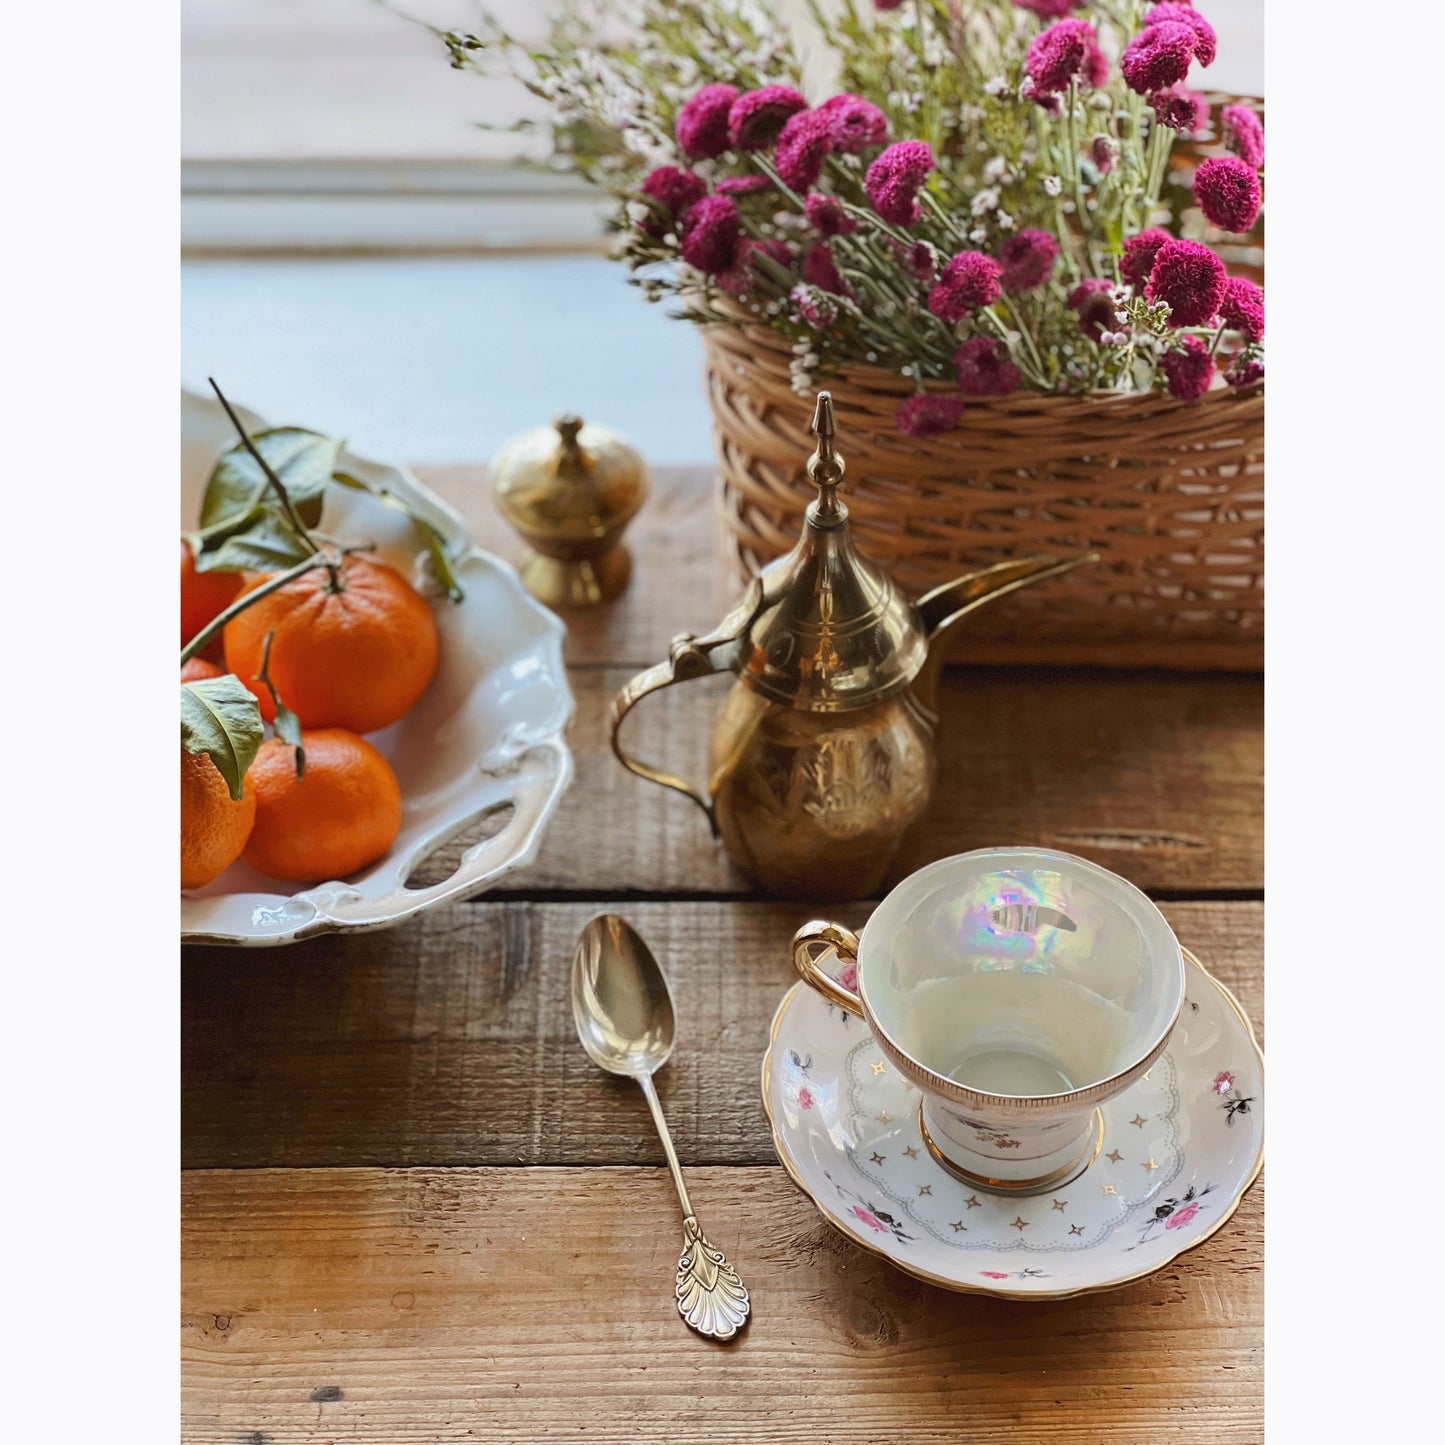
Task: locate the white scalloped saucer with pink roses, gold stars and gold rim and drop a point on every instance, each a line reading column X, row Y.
column 1180, row 1151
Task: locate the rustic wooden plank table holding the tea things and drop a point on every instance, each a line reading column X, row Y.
column 414, row 1212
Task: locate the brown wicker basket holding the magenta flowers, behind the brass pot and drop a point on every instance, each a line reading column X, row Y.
column 1170, row 495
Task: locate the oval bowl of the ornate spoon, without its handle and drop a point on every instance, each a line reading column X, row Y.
column 621, row 999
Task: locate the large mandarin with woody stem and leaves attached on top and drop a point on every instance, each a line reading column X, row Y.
column 355, row 651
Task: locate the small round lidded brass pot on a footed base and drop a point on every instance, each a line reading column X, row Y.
column 571, row 489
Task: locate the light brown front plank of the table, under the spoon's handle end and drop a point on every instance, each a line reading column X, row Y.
column 524, row 1306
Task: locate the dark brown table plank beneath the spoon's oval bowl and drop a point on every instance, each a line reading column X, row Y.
column 450, row 1041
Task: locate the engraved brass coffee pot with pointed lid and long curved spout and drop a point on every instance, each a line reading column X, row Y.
column 823, row 756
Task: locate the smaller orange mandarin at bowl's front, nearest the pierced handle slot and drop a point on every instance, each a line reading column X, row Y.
column 342, row 816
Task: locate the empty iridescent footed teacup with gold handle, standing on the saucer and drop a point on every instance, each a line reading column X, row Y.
column 1019, row 991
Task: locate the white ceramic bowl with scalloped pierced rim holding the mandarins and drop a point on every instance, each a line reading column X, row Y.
column 489, row 733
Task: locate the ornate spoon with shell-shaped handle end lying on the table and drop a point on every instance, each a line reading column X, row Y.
column 624, row 1014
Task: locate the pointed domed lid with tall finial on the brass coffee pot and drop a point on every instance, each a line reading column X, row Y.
column 834, row 632
